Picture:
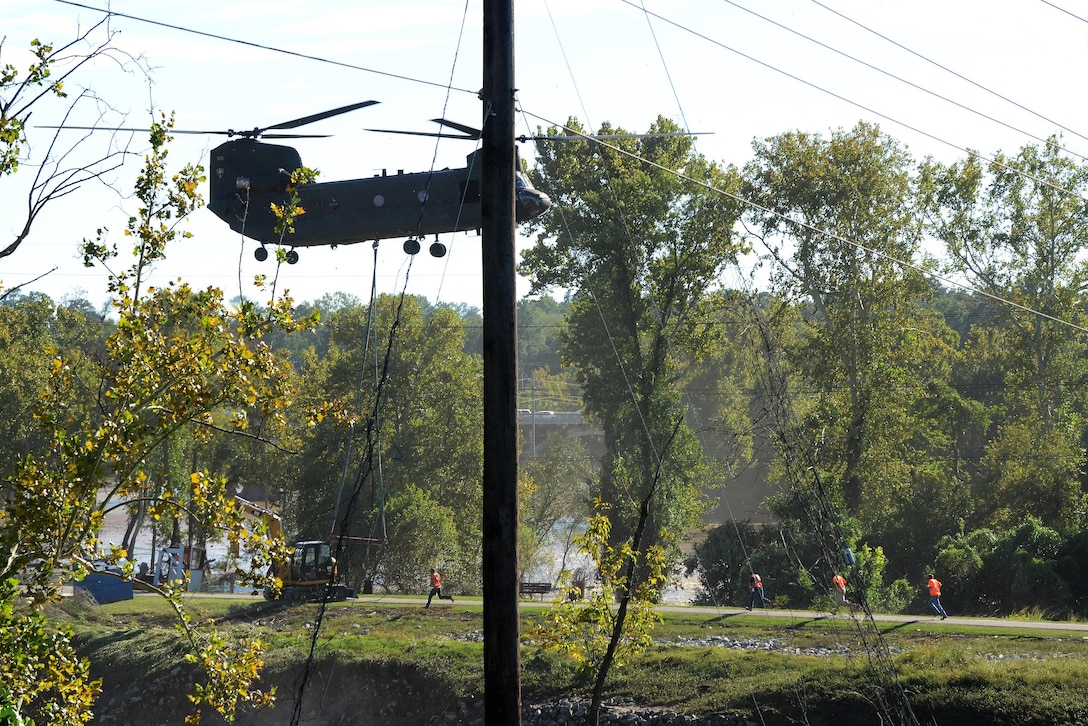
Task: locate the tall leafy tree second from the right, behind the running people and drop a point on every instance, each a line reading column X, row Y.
column 837, row 217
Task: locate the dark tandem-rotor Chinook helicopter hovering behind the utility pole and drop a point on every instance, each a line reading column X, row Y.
column 249, row 176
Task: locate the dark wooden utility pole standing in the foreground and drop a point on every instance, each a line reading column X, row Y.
column 502, row 670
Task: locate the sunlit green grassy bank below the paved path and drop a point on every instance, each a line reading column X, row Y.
column 402, row 665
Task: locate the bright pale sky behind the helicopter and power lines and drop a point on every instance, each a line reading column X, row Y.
column 943, row 78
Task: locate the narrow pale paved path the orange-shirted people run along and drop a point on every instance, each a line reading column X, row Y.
column 798, row 617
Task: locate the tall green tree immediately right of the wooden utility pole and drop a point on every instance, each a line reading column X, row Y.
column 640, row 239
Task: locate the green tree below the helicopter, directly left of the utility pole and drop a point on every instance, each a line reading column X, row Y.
column 410, row 429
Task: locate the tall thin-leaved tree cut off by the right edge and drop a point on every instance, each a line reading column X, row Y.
column 1017, row 228
